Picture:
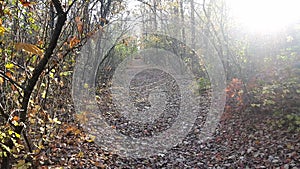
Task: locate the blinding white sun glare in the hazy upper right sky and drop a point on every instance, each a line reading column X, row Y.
column 265, row 16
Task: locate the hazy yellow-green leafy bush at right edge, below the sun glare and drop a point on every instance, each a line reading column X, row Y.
column 278, row 94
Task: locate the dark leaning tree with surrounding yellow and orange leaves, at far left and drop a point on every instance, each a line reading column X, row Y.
column 36, row 57
